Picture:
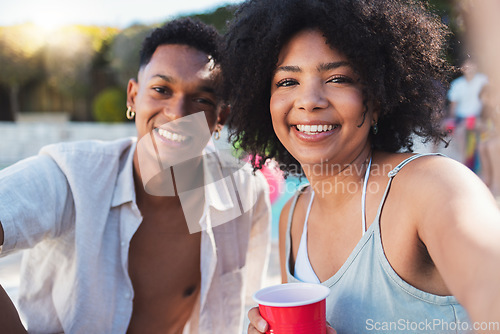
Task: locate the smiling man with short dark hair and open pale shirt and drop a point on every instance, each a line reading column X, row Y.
column 153, row 236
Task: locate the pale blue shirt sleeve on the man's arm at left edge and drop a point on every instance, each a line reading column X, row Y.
column 35, row 200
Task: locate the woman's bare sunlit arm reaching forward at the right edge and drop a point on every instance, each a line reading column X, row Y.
column 459, row 222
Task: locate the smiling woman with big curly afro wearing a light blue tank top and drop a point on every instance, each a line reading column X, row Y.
column 337, row 90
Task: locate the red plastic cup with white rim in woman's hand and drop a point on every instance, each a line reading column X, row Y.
column 294, row 308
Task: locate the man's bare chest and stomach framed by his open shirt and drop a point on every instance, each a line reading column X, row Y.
column 164, row 267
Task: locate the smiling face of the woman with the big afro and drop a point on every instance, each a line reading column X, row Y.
column 317, row 102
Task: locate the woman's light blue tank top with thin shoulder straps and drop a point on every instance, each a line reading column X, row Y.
column 368, row 296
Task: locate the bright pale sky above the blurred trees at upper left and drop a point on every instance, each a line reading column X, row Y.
column 116, row 13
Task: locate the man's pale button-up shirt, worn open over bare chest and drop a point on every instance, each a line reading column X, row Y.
column 73, row 207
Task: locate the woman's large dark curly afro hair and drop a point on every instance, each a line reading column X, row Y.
column 396, row 46
